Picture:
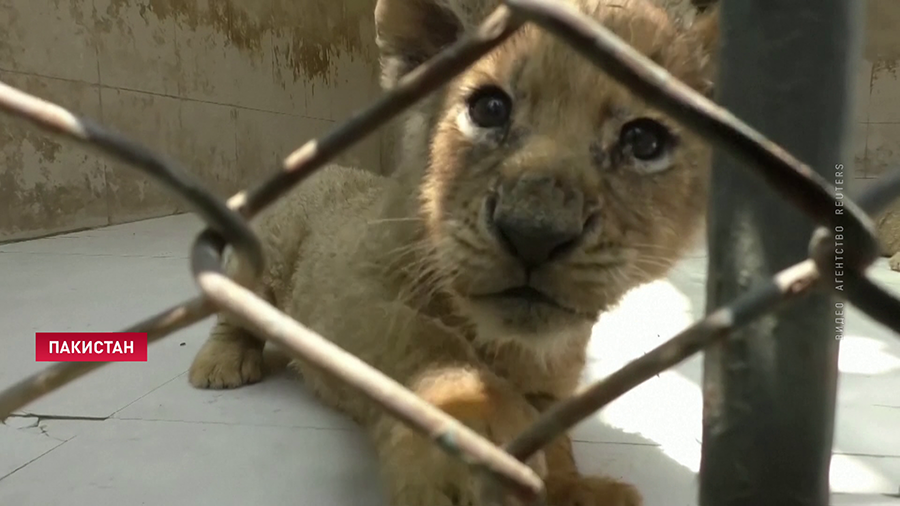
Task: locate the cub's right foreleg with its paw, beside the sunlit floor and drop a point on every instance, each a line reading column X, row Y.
column 566, row 486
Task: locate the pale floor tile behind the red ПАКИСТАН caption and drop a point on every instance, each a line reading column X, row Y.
column 43, row 292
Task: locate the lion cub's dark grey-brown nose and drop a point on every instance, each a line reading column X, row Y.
column 536, row 219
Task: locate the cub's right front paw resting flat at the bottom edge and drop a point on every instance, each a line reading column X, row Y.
column 576, row 490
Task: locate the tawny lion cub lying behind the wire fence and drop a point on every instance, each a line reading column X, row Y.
column 532, row 193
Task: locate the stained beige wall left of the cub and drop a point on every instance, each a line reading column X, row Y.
column 227, row 87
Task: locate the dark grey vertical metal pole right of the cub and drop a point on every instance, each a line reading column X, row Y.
column 786, row 67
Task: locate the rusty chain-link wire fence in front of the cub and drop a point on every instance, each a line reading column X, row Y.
column 227, row 224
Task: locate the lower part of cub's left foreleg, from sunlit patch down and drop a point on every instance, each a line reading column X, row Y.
column 416, row 471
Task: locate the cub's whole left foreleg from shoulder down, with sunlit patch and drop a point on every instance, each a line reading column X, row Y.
column 438, row 365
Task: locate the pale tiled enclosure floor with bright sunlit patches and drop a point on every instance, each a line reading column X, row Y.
column 138, row 434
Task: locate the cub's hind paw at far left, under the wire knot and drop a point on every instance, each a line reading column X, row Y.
column 231, row 356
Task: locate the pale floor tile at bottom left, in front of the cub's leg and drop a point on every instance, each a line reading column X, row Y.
column 115, row 463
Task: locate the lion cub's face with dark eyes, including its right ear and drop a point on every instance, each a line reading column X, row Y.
column 550, row 189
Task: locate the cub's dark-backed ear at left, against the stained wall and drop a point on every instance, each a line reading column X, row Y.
column 409, row 32
